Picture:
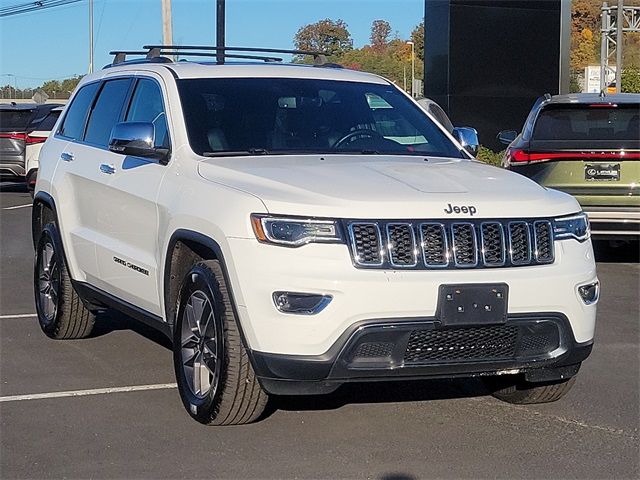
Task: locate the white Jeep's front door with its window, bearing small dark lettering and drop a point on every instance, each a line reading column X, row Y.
column 127, row 245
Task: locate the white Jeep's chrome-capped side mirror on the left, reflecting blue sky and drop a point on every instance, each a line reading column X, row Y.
column 136, row 139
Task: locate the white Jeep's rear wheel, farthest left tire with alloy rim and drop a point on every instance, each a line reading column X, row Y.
column 60, row 310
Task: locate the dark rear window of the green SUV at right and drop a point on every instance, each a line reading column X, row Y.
column 584, row 122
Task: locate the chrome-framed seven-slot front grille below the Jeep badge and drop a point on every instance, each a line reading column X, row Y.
column 419, row 244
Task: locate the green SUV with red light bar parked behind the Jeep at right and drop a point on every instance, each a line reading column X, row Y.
column 587, row 145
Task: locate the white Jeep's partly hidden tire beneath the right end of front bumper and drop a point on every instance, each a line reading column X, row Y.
column 520, row 392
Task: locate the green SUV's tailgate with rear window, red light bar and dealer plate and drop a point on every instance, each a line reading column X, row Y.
column 589, row 151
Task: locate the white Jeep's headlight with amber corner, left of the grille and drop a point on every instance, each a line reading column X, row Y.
column 294, row 232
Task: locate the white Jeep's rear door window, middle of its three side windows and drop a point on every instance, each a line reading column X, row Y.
column 106, row 111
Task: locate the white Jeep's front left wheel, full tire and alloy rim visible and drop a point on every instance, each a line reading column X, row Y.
column 229, row 393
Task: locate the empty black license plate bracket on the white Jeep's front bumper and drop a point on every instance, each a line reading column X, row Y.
column 472, row 304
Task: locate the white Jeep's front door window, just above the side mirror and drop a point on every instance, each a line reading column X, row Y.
column 147, row 106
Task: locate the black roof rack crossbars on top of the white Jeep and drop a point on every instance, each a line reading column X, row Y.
column 154, row 53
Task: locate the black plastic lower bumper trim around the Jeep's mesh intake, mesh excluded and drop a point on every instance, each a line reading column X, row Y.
column 303, row 374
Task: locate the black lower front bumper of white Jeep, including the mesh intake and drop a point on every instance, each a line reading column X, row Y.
column 541, row 346
